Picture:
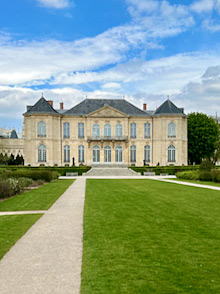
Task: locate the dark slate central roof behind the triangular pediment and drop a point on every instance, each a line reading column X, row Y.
column 90, row 105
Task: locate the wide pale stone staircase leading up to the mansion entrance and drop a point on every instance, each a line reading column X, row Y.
column 103, row 170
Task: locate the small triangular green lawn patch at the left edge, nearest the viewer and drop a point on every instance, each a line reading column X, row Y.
column 12, row 228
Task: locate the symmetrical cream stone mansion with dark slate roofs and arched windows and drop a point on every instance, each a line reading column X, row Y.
column 104, row 131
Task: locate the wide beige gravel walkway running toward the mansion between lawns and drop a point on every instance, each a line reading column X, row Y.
column 47, row 259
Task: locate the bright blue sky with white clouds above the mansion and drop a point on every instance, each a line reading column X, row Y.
column 142, row 50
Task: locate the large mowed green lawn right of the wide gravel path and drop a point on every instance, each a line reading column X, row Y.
column 143, row 236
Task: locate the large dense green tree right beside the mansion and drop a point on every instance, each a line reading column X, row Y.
column 203, row 137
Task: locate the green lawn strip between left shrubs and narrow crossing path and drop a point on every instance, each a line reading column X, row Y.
column 38, row 199
